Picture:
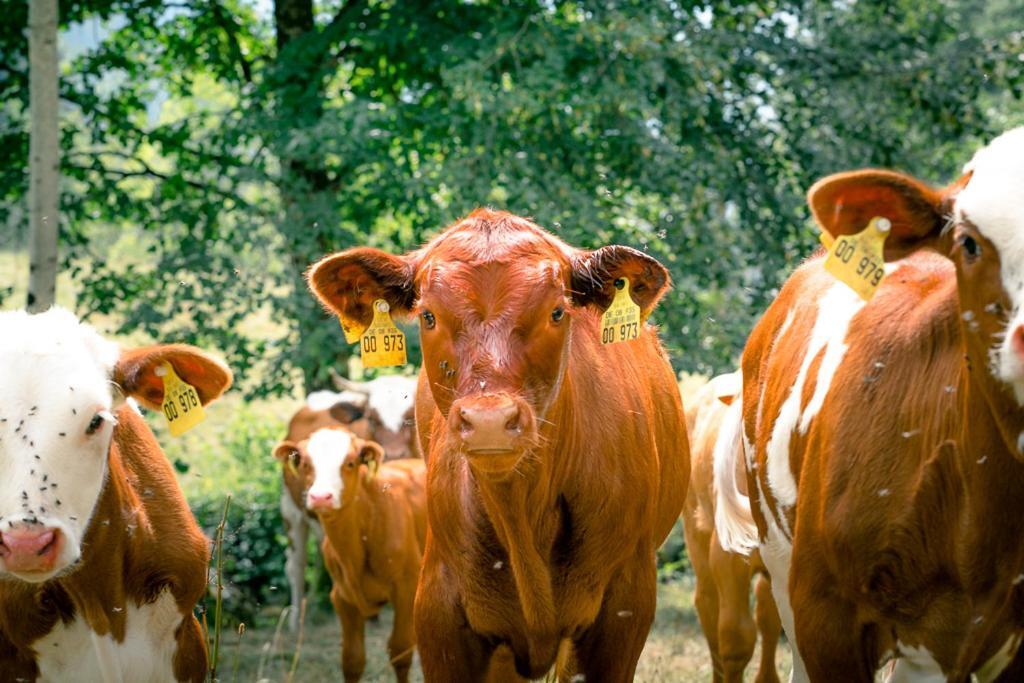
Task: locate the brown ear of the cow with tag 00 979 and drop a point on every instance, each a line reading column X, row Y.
column 843, row 204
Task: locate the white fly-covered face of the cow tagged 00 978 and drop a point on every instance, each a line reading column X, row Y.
column 56, row 379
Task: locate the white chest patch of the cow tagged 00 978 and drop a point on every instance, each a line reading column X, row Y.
column 75, row 653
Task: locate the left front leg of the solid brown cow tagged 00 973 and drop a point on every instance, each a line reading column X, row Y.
column 450, row 651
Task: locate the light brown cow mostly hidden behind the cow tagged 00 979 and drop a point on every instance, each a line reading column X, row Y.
column 723, row 579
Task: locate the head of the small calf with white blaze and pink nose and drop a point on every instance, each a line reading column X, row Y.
column 329, row 463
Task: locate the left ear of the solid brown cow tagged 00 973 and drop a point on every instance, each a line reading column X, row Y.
column 350, row 282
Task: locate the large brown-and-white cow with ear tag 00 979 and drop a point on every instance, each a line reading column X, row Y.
column 885, row 440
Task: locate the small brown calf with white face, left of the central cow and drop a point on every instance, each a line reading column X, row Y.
column 374, row 520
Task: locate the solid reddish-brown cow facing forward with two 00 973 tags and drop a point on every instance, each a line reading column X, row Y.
column 557, row 465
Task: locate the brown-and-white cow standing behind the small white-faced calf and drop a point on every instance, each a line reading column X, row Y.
column 378, row 409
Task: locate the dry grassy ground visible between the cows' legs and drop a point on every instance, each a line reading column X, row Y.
column 676, row 650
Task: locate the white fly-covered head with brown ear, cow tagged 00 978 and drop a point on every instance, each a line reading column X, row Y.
column 62, row 386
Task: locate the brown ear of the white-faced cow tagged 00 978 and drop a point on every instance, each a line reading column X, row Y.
column 137, row 373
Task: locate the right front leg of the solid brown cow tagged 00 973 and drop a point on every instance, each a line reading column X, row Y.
column 610, row 649
